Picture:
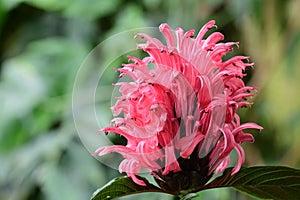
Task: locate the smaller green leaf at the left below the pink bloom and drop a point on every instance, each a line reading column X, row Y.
column 123, row 186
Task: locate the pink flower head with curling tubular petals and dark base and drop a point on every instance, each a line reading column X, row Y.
column 179, row 116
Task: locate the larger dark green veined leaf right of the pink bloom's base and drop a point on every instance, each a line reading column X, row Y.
column 266, row 182
